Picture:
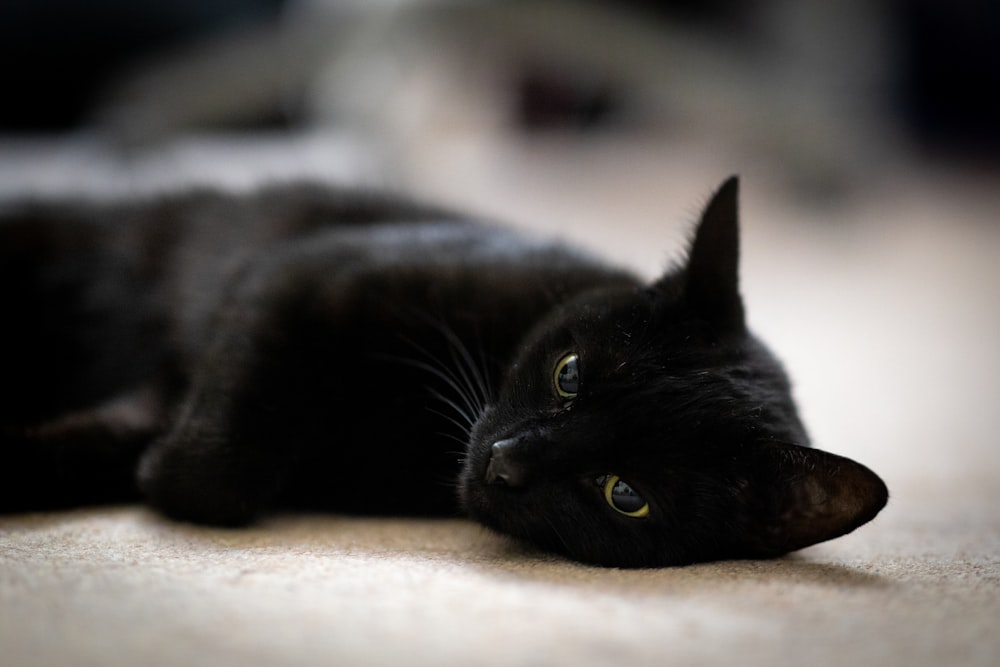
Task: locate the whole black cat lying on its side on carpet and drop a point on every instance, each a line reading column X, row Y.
column 299, row 347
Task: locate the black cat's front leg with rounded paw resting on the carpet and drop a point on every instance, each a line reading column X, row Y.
column 248, row 417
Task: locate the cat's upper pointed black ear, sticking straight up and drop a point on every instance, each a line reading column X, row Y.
column 711, row 279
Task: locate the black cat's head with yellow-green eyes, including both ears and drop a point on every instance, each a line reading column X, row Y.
column 647, row 427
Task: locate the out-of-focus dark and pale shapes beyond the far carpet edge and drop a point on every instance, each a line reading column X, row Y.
column 823, row 97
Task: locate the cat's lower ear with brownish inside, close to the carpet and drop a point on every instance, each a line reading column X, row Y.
column 807, row 496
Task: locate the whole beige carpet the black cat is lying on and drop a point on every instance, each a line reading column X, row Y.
column 886, row 310
